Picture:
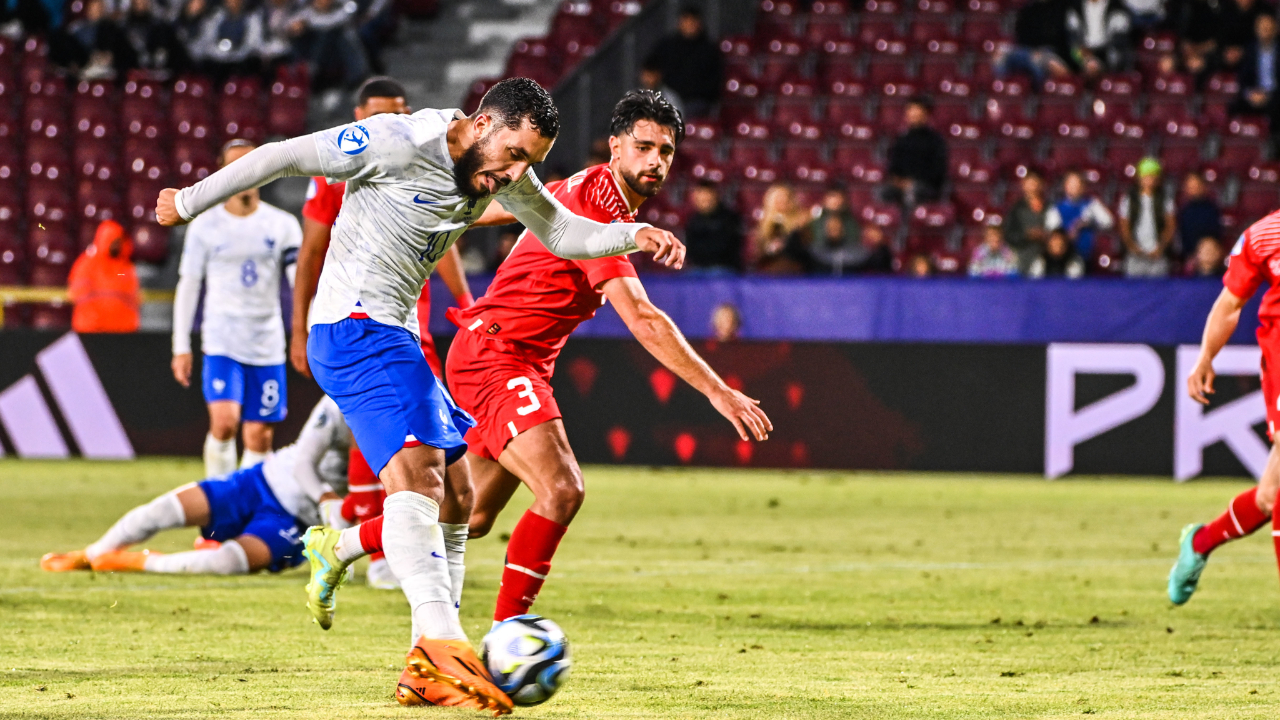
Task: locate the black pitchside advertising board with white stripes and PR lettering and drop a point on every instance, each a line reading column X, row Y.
column 1113, row 409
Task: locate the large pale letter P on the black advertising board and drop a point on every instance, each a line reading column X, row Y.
column 1066, row 427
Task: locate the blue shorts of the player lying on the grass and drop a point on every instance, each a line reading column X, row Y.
column 243, row 504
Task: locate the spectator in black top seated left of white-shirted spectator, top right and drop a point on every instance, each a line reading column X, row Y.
column 1041, row 43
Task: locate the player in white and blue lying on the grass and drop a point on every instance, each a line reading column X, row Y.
column 258, row 514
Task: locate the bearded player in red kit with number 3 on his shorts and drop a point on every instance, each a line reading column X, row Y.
column 501, row 362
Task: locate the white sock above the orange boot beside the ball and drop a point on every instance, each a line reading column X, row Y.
column 414, row 545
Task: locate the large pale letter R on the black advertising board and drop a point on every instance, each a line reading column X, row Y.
column 1197, row 429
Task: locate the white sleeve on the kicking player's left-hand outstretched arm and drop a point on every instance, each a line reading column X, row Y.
column 259, row 167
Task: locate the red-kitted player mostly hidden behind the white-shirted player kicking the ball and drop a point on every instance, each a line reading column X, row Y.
column 365, row 493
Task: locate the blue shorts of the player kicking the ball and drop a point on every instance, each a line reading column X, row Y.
column 386, row 390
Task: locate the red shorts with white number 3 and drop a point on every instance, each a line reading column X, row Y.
column 506, row 394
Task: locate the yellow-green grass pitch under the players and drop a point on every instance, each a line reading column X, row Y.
column 688, row 595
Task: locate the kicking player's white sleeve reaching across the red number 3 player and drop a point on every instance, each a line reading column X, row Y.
column 563, row 233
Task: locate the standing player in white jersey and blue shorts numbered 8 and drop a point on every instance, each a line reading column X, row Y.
column 239, row 250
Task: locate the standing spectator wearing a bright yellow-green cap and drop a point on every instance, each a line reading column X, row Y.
column 1148, row 224
